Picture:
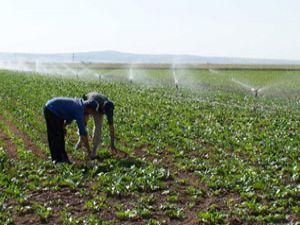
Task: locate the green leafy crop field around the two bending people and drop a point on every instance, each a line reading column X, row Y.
column 209, row 152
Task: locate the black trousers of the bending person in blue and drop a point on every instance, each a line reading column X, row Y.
column 56, row 137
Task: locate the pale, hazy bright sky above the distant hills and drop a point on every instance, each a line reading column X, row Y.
column 231, row 28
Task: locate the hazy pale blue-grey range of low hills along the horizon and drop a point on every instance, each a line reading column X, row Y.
column 121, row 57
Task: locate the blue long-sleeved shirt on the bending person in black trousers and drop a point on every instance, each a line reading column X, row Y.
column 69, row 109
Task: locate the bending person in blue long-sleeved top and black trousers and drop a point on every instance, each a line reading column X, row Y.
column 59, row 112
